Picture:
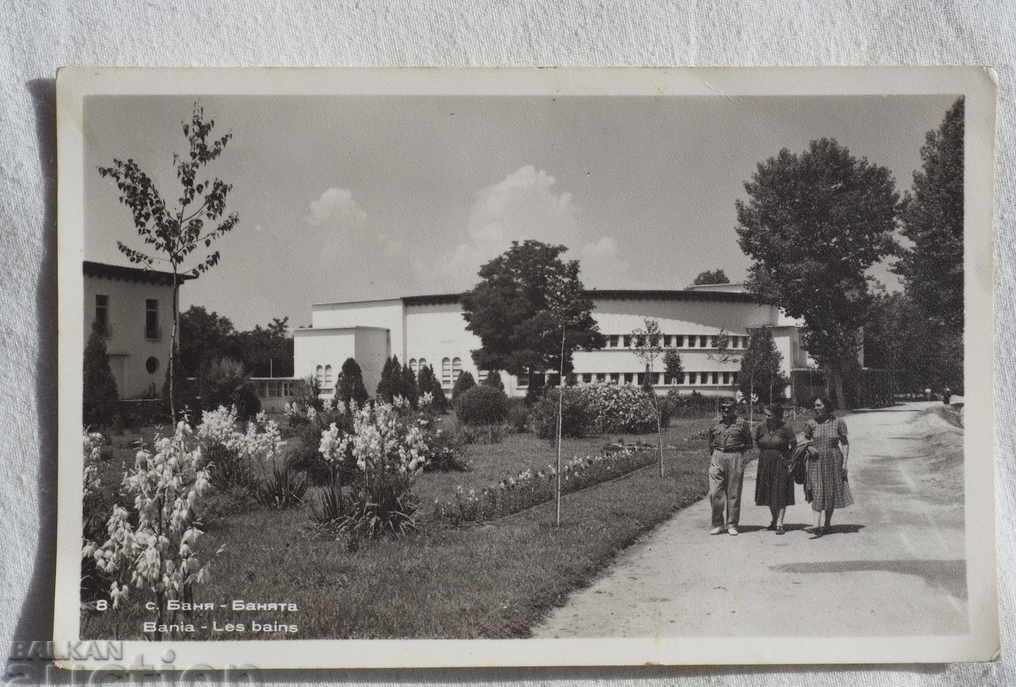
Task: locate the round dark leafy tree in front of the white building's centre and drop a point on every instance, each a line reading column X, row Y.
column 516, row 314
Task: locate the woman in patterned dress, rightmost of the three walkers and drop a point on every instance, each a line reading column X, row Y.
column 828, row 469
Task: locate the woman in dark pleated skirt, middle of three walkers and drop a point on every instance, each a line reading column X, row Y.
column 775, row 482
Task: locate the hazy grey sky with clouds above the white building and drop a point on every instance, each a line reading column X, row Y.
column 356, row 198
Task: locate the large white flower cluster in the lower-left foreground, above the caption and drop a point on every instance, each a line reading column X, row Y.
column 157, row 555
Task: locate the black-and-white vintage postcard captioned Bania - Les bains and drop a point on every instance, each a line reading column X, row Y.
column 511, row 367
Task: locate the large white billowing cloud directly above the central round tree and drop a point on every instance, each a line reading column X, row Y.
column 527, row 205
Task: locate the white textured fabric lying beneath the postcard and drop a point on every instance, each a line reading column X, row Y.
column 40, row 37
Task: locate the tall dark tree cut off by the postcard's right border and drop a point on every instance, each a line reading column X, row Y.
column 933, row 220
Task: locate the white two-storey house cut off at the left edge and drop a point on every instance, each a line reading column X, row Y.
column 135, row 309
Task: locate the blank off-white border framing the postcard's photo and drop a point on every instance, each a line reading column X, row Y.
column 979, row 87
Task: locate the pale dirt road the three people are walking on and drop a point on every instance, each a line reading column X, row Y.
column 894, row 565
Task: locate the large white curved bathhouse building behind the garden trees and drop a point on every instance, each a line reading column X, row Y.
column 430, row 331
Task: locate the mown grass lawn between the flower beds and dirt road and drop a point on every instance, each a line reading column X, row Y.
column 496, row 580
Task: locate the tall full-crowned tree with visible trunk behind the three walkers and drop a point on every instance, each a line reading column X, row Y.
column 813, row 225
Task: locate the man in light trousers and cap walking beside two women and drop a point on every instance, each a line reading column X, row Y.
column 728, row 442
